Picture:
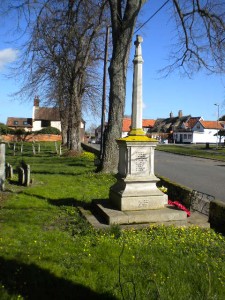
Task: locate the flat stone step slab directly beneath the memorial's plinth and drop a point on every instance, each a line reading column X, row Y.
column 167, row 214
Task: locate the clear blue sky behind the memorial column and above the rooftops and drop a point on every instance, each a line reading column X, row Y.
column 194, row 96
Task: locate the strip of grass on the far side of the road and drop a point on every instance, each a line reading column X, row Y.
column 195, row 150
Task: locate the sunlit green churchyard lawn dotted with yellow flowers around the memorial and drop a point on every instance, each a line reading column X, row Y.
column 48, row 251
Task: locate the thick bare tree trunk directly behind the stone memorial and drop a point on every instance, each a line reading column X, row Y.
column 122, row 31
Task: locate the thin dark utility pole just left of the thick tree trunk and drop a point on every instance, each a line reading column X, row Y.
column 104, row 91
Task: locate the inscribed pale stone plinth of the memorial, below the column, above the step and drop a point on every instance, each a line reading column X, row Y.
column 136, row 188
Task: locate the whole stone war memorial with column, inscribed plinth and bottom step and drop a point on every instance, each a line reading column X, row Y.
column 135, row 198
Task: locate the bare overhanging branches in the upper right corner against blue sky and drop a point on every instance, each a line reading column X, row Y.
column 200, row 35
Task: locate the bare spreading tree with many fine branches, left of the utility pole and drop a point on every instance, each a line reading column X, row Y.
column 62, row 55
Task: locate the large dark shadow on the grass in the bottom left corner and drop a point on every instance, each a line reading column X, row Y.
column 32, row 282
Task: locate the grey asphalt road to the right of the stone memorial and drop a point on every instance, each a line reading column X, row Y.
column 204, row 175
